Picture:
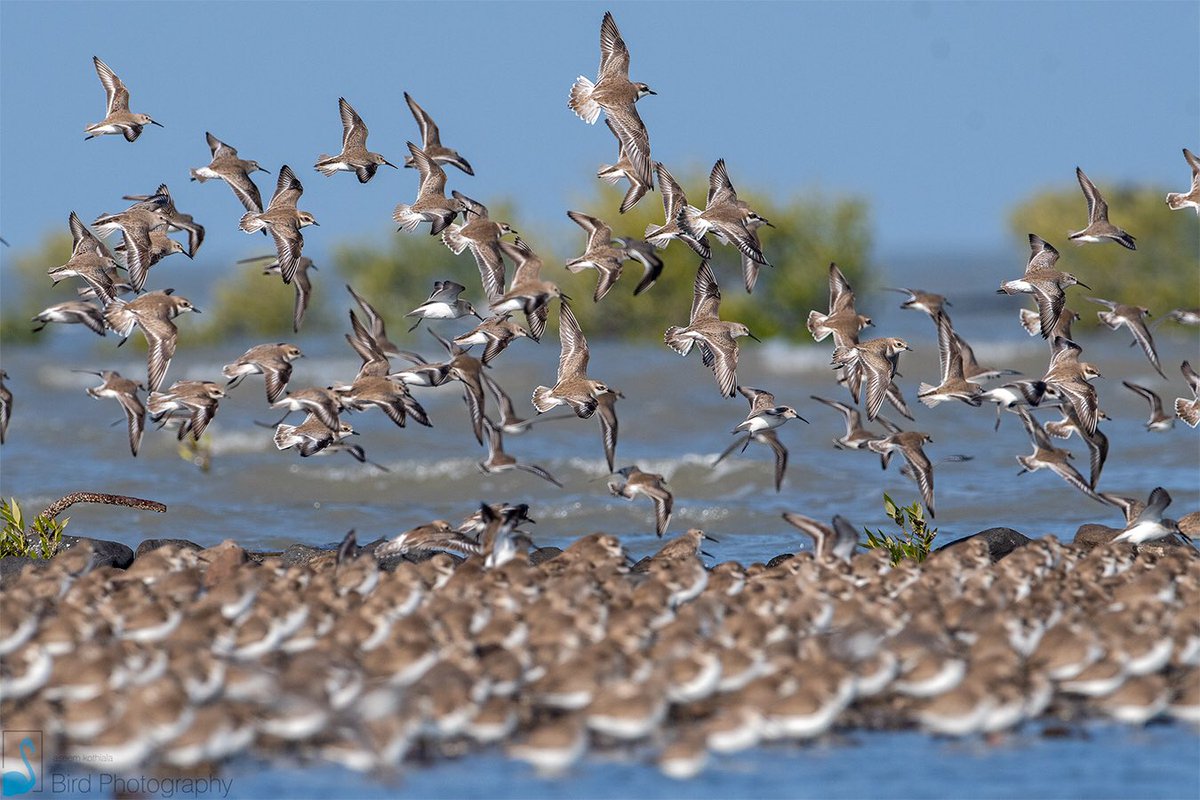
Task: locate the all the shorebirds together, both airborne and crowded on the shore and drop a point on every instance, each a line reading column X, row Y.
column 189, row 658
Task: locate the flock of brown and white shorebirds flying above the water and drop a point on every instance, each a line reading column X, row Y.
column 867, row 368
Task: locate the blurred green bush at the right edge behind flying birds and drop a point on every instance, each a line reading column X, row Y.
column 1161, row 274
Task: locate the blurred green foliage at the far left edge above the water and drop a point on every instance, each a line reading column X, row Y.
column 28, row 290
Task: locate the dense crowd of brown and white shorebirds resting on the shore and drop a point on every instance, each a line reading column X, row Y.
column 176, row 657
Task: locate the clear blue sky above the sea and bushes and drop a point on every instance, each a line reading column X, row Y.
column 943, row 116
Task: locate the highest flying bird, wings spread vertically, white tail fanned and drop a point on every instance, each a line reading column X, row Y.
column 616, row 95
